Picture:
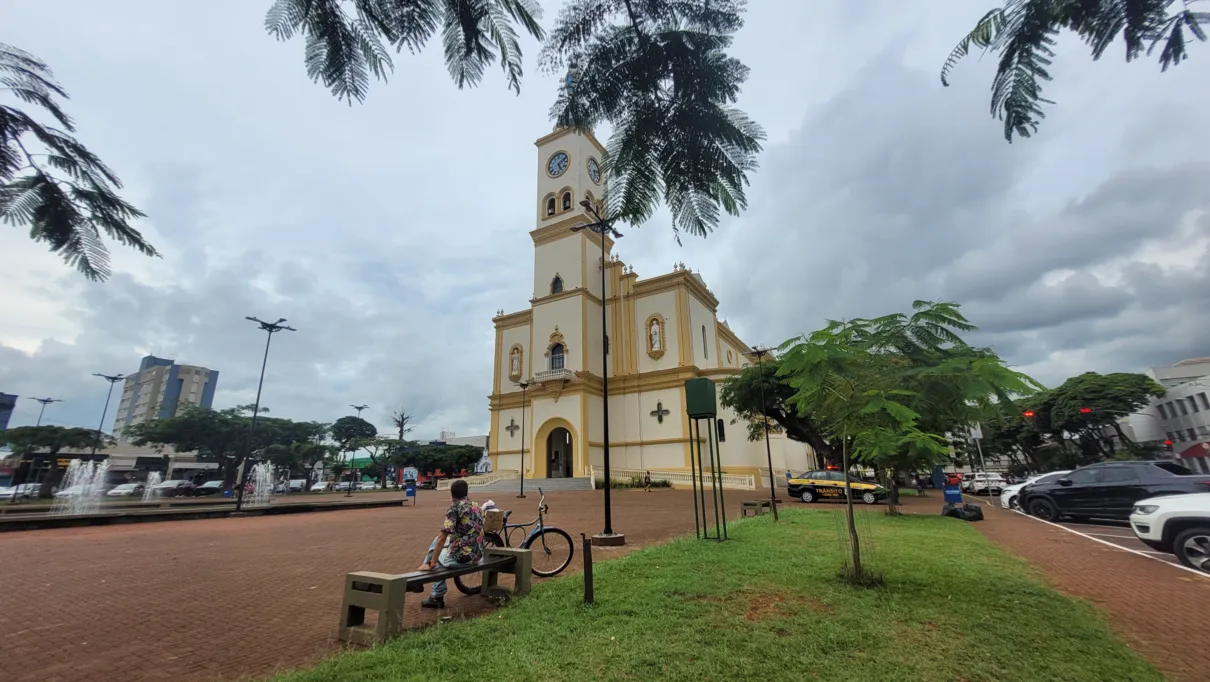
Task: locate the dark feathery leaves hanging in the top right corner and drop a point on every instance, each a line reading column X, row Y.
column 1022, row 33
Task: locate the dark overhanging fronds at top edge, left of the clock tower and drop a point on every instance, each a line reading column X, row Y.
column 345, row 49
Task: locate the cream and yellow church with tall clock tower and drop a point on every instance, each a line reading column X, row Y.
column 660, row 332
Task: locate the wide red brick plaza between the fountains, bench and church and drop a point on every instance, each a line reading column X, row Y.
column 237, row 598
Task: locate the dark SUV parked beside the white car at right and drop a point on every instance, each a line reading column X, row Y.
column 1109, row 490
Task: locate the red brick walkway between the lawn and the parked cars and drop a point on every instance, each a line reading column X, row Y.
column 1162, row 612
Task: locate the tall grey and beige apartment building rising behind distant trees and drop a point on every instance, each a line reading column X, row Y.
column 162, row 389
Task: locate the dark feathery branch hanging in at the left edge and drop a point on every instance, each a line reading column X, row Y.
column 50, row 182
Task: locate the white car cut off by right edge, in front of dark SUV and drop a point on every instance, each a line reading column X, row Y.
column 1179, row 524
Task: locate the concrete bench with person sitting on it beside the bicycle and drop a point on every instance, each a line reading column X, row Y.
column 385, row 593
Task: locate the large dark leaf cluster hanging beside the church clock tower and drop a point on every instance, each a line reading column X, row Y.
column 662, row 79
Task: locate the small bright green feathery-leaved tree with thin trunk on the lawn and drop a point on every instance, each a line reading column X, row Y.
column 890, row 389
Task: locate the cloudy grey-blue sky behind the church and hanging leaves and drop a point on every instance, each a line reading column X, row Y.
column 390, row 233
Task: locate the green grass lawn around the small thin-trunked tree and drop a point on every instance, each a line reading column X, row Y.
column 768, row 605
